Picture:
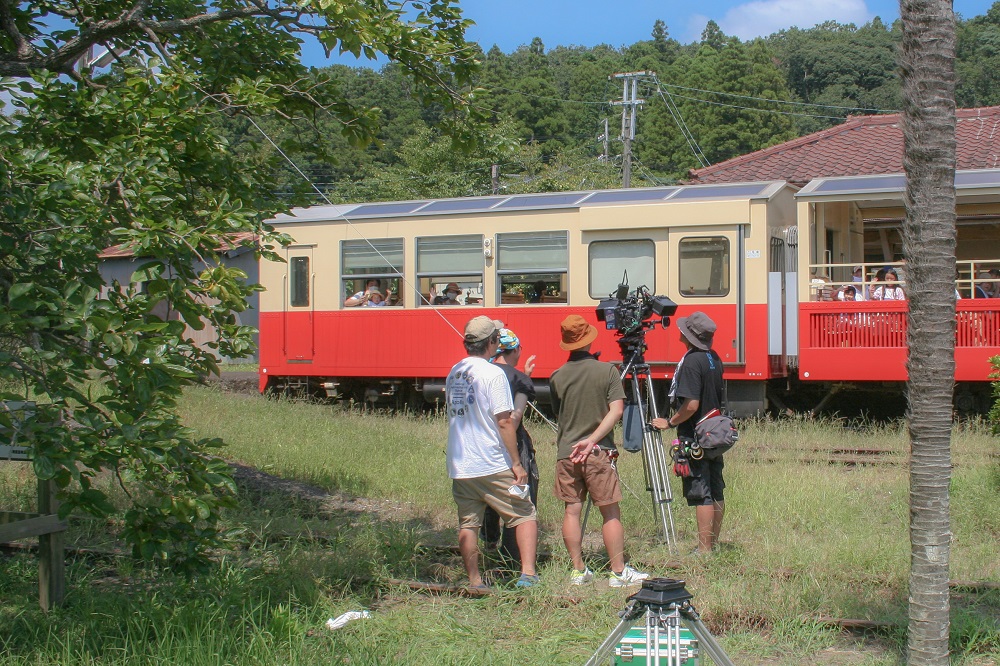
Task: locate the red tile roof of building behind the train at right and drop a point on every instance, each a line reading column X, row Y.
column 863, row 145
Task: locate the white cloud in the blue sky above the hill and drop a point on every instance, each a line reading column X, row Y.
column 763, row 17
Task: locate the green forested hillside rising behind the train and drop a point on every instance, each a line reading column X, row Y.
column 542, row 111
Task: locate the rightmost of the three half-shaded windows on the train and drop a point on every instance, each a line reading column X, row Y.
column 532, row 267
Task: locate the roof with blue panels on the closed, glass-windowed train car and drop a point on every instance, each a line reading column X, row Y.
column 763, row 190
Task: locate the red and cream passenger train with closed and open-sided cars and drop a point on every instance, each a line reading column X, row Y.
column 732, row 251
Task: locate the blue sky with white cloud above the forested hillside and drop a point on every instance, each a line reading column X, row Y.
column 511, row 23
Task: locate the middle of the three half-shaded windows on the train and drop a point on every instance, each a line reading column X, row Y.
column 450, row 264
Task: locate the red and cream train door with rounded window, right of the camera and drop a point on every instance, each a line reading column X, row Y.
column 706, row 268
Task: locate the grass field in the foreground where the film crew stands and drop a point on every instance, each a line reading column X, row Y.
column 814, row 530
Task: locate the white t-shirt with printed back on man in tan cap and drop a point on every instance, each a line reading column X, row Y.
column 476, row 390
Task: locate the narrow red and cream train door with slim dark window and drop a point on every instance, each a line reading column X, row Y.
column 299, row 304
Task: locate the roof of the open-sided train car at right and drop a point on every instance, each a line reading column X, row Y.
column 891, row 186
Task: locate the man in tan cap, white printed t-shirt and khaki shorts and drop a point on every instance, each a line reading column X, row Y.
column 482, row 455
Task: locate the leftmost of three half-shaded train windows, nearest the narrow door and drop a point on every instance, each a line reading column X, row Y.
column 379, row 261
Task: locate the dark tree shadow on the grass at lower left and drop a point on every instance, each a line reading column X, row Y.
column 302, row 554
